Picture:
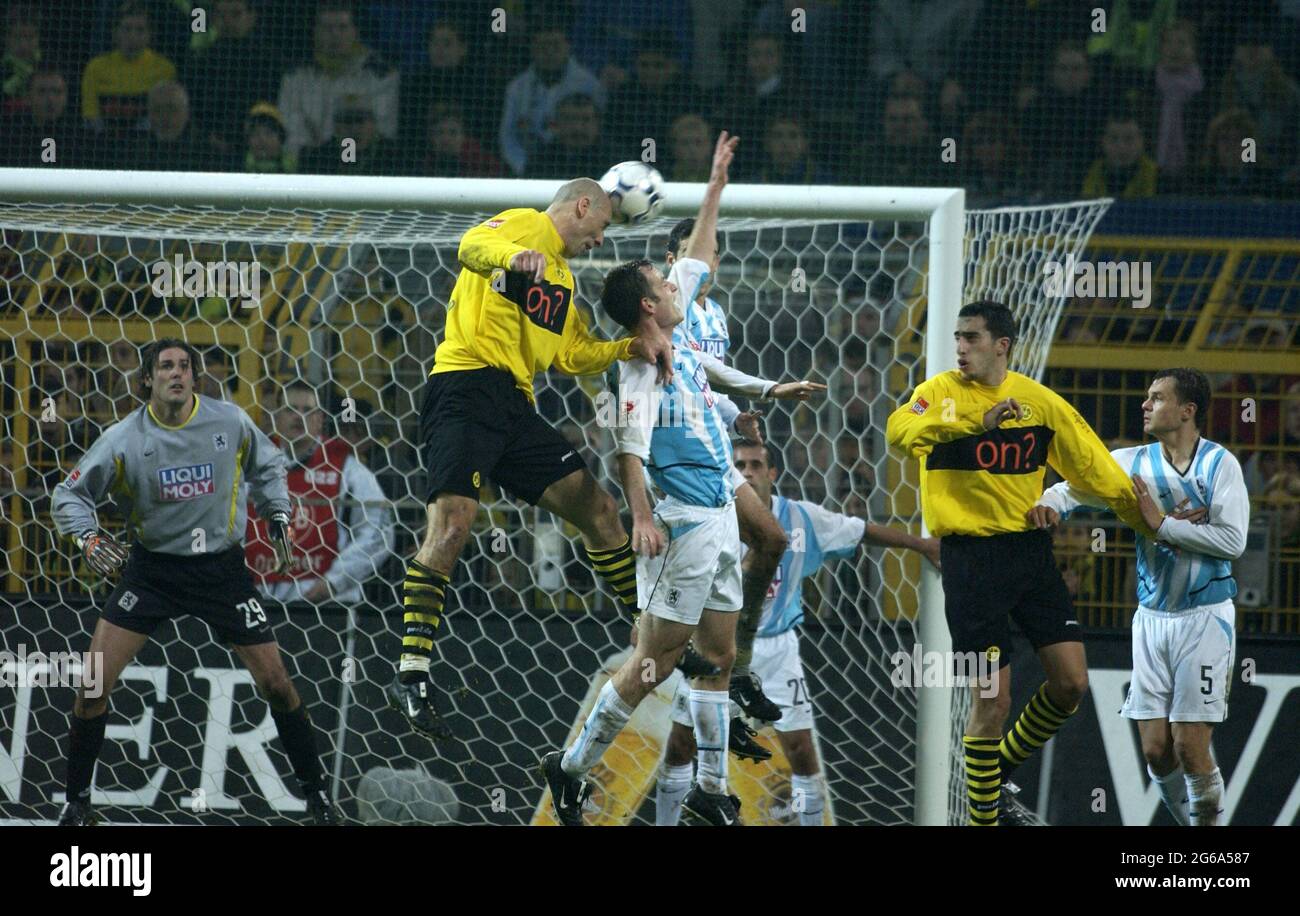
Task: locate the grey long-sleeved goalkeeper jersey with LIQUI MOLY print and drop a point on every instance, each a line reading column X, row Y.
column 171, row 481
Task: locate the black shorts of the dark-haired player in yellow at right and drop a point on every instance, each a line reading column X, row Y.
column 989, row 580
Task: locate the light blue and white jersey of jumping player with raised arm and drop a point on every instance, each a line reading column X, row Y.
column 675, row 429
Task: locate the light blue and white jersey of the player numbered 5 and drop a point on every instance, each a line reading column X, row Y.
column 1190, row 565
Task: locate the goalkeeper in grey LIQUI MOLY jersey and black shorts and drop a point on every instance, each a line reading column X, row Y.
column 181, row 468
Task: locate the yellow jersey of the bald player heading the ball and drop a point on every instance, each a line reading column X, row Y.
column 505, row 320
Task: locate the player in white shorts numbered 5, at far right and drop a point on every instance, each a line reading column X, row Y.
column 1184, row 635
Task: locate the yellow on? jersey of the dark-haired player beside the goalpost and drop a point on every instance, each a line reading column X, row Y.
column 982, row 483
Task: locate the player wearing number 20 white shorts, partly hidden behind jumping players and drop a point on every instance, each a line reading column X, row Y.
column 821, row 537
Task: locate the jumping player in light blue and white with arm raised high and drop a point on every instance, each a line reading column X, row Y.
column 688, row 570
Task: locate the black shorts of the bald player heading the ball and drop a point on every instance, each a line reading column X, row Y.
column 476, row 426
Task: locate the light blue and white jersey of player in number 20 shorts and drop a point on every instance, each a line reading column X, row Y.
column 816, row 537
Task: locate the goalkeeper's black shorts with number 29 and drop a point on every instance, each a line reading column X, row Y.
column 216, row 588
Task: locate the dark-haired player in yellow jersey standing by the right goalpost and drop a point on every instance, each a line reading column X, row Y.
column 985, row 437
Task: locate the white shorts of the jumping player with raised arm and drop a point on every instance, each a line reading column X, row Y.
column 699, row 571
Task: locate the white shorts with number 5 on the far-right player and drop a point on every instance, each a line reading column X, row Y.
column 1182, row 665
